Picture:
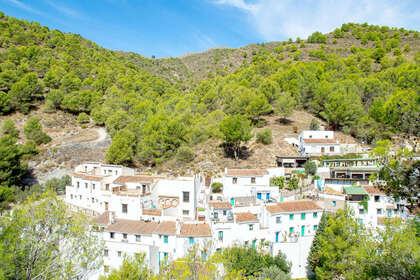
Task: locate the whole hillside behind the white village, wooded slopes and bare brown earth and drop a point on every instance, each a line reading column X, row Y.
column 362, row 80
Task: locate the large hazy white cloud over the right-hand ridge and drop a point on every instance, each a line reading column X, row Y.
column 280, row 19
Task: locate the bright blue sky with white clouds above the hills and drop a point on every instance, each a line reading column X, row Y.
column 176, row 27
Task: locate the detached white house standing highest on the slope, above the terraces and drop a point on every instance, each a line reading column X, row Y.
column 318, row 143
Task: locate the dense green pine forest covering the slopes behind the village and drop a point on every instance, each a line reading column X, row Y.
column 372, row 93
